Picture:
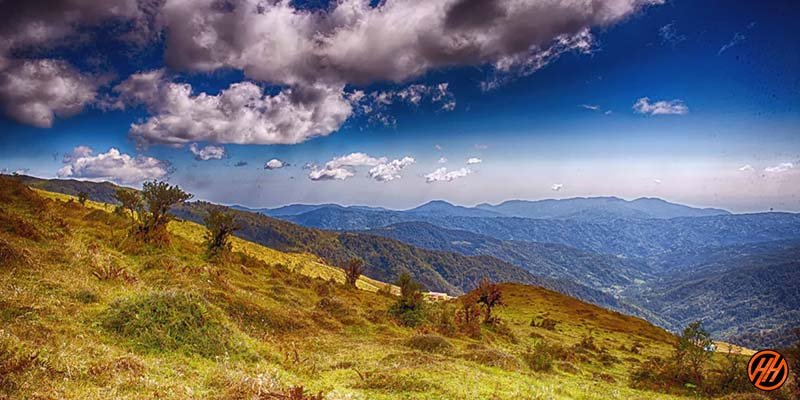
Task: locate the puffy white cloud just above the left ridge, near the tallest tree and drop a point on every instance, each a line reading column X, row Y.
column 112, row 165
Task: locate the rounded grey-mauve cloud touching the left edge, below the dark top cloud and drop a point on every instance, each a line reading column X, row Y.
column 35, row 92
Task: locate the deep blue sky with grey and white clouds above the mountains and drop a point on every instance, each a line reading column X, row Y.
column 399, row 102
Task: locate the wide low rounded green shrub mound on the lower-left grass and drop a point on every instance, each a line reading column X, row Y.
column 172, row 321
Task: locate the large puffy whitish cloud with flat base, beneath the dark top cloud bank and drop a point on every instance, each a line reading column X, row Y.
column 241, row 114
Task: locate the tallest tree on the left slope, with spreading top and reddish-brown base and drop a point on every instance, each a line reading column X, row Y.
column 159, row 198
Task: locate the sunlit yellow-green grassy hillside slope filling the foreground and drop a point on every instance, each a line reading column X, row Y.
column 53, row 306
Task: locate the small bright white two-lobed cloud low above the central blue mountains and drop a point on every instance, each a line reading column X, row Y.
column 341, row 168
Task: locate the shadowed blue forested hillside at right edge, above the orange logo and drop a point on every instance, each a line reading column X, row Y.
column 745, row 294
